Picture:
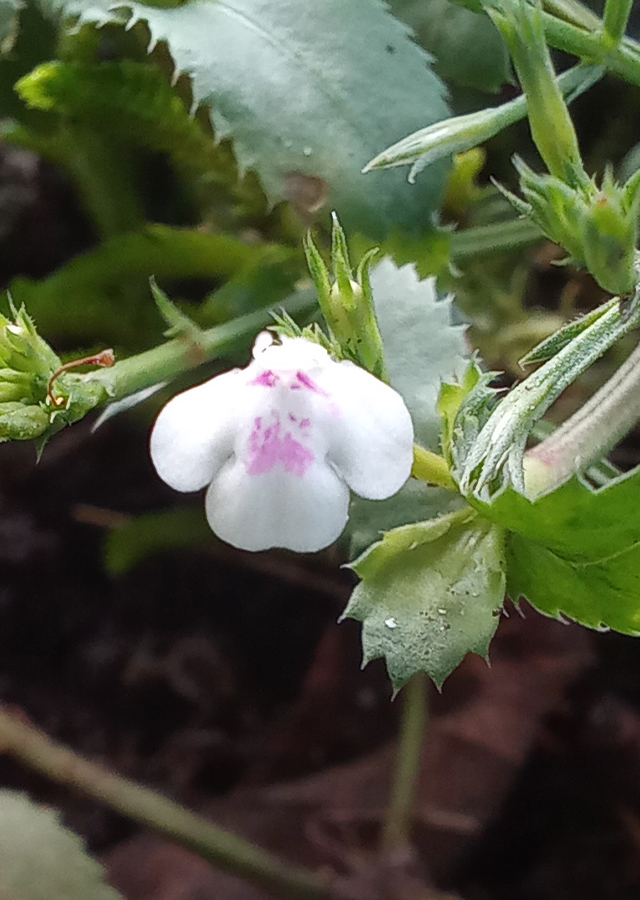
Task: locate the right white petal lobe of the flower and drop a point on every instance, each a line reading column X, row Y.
column 371, row 441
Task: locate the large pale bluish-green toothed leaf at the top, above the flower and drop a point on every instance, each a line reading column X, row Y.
column 306, row 91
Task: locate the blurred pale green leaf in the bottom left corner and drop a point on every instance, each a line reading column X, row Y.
column 42, row 860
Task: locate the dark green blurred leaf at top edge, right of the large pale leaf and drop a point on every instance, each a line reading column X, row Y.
column 467, row 47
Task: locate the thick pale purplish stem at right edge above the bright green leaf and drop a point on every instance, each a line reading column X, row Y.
column 589, row 434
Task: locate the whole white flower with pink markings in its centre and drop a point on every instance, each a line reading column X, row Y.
column 280, row 442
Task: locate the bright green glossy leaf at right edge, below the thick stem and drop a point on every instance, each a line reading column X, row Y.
column 576, row 552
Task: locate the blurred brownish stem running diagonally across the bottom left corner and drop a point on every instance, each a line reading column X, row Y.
column 222, row 849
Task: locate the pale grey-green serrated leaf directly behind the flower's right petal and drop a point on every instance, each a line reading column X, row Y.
column 422, row 348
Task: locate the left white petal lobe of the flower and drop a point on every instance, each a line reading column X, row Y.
column 194, row 433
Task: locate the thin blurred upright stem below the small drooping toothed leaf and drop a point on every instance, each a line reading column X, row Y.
column 397, row 828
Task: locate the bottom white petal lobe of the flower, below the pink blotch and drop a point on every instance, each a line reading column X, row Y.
column 277, row 508
